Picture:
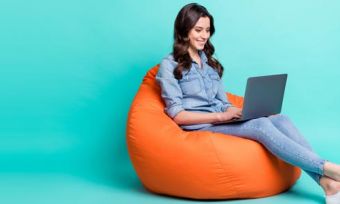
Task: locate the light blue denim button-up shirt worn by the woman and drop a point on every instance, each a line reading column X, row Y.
column 199, row 90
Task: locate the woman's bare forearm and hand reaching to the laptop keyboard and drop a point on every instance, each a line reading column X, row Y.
column 190, row 118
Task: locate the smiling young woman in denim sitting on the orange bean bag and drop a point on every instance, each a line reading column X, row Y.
column 190, row 80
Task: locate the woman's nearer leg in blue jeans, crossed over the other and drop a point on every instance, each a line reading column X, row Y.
column 263, row 131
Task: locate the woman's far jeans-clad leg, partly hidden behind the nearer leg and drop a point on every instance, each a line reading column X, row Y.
column 286, row 126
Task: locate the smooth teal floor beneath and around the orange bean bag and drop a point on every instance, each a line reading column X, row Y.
column 62, row 188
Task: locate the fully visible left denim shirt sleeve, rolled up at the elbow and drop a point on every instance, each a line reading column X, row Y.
column 170, row 89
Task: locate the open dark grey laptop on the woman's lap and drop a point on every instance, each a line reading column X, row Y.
column 263, row 96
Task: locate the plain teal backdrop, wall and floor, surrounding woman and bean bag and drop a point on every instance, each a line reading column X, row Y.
column 69, row 71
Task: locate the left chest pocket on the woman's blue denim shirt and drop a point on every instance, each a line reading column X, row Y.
column 190, row 85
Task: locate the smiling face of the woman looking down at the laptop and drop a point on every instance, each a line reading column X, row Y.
column 199, row 34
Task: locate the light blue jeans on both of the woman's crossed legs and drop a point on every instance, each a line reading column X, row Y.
column 278, row 134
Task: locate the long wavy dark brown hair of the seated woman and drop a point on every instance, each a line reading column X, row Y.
column 186, row 19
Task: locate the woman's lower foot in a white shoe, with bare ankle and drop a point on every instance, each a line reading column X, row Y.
column 332, row 190
